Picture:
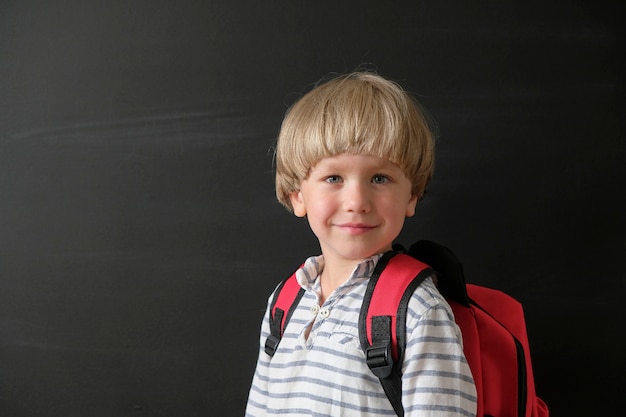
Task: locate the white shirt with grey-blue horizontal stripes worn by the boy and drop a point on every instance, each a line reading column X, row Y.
column 325, row 374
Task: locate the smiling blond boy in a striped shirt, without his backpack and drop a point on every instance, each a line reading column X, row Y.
column 354, row 156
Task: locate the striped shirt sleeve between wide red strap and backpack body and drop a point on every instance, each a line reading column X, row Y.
column 436, row 379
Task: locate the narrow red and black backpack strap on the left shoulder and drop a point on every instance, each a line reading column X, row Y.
column 286, row 299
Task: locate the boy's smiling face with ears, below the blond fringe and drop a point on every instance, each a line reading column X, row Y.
column 355, row 205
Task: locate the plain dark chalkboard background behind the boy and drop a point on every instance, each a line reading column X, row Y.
column 139, row 232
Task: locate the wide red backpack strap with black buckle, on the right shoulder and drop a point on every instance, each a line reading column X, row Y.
column 382, row 320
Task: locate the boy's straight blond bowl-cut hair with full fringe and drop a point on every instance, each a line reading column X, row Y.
column 359, row 113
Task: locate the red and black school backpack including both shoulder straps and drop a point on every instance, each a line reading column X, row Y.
column 492, row 323
